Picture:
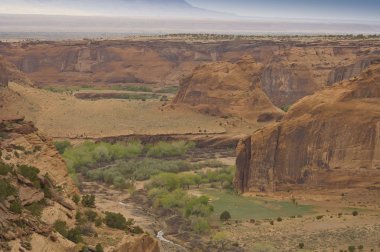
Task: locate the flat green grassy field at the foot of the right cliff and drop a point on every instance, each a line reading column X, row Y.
column 256, row 208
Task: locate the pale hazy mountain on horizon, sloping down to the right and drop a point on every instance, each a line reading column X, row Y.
column 124, row 8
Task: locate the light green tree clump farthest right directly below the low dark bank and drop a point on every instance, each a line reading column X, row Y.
column 169, row 149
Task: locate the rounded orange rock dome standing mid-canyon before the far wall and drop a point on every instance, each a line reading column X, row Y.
column 226, row 89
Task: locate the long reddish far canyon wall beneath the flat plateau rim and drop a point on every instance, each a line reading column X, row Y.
column 291, row 69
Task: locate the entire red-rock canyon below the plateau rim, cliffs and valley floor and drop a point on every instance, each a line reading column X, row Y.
column 302, row 114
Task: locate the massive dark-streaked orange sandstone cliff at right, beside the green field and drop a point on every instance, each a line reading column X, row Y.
column 330, row 139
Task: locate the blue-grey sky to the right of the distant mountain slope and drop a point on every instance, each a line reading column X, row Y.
column 321, row 9
